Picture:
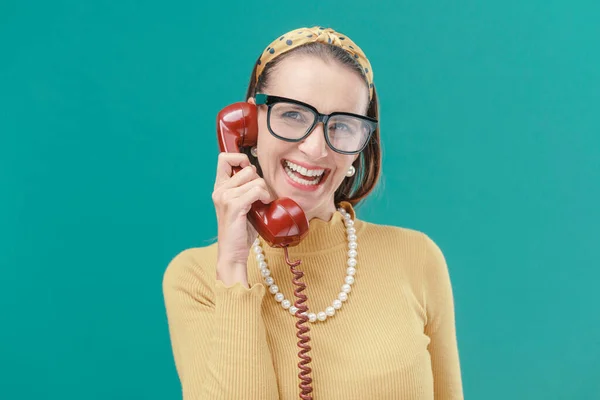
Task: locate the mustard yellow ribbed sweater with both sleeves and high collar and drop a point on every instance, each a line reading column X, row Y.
column 394, row 338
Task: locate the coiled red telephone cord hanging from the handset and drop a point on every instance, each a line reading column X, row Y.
column 303, row 338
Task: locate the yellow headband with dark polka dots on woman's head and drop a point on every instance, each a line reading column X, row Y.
column 301, row 36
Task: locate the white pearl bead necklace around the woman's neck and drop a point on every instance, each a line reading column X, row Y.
column 346, row 287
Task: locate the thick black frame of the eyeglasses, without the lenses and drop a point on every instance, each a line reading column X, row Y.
column 269, row 101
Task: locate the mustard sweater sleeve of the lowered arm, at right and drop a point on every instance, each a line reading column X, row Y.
column 441, row 327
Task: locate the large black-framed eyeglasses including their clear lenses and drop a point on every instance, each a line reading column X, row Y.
column 292, row 121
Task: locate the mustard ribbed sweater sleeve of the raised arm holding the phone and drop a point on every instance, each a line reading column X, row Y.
column 217, row 334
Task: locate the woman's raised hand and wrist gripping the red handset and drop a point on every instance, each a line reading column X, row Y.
column 233, row 195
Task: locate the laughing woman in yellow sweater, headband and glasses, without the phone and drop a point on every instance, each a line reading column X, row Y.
column 381, row 314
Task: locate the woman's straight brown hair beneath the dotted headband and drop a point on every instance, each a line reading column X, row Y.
column 368, row 165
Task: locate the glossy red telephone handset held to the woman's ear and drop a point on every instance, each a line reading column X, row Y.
column 281, row 223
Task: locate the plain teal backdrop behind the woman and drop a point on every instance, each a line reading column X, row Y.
column 490, row 123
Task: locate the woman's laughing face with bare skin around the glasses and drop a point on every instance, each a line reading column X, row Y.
column 329, row 87
